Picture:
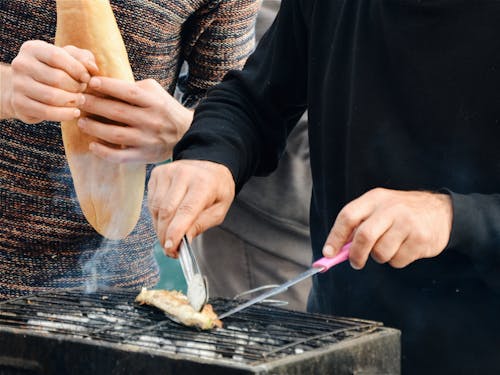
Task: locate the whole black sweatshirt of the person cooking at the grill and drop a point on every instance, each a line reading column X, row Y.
column 401, row 94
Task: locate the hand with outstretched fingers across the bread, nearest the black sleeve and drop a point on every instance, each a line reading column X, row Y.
column 156, row 121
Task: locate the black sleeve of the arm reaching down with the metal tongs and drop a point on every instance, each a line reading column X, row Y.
column 244, row 121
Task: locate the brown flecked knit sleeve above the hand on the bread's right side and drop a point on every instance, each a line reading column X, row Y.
column 217, row 38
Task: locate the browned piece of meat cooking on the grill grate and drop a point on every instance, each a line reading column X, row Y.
column 176, row 306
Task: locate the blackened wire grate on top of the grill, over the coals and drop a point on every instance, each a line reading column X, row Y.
column 255, row 335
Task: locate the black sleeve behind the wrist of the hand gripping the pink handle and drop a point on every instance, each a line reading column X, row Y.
column 476, row 232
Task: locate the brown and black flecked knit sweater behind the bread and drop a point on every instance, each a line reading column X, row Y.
column 45, row 242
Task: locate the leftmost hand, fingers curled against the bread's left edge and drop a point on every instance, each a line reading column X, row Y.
column 45, row 82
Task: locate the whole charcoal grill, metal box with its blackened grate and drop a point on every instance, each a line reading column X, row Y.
column 106, row 332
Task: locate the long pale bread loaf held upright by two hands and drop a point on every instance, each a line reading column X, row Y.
column 110, row 194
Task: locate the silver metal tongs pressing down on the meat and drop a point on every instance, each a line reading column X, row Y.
column 197, row 285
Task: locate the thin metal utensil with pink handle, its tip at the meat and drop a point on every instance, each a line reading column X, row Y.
column 321, row 265
